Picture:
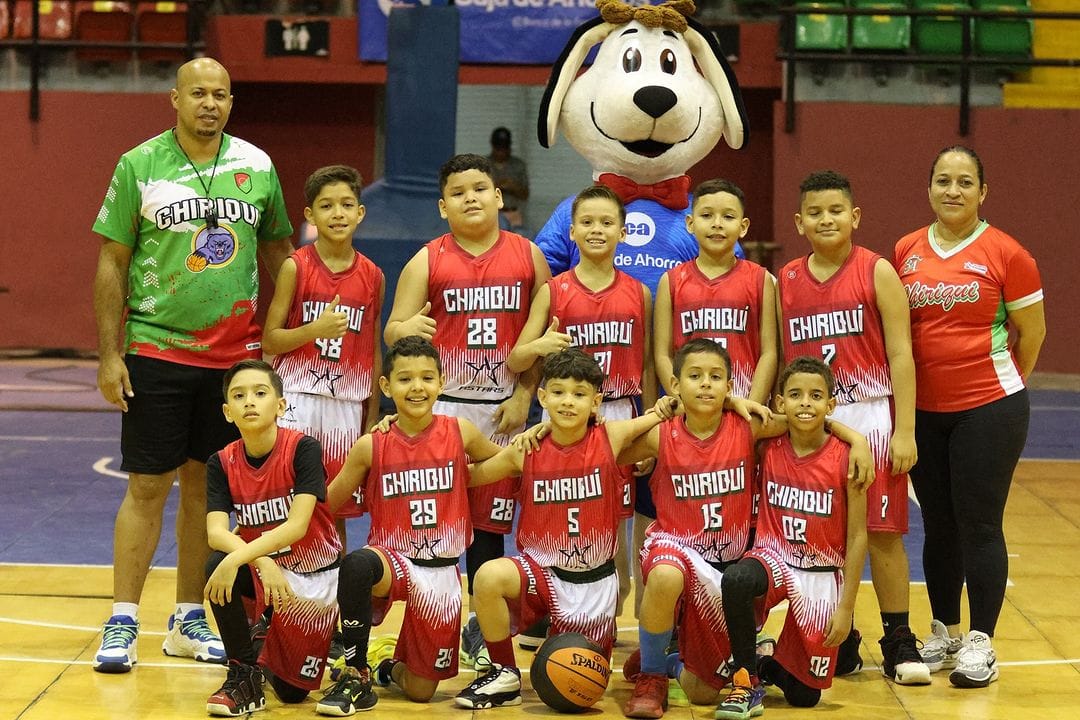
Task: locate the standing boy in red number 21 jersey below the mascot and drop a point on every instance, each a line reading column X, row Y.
column 607, row 315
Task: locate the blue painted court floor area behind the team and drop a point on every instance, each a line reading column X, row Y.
column 61, row 483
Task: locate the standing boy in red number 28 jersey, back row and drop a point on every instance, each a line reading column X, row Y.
column 469, row 293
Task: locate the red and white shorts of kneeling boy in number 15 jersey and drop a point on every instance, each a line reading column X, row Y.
column 704, row 642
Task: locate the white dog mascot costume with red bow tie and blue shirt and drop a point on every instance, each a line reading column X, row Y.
column 657, row 100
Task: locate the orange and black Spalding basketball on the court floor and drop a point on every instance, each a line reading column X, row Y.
column 570, row 673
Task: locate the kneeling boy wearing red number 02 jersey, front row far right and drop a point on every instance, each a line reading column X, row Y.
column 809, row 550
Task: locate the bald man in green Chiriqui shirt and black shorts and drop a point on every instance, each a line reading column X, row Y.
column 185, row 219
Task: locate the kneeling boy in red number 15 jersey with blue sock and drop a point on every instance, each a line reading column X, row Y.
column 705, row 494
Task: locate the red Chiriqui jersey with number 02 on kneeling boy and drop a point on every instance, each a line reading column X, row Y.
column 804, row 511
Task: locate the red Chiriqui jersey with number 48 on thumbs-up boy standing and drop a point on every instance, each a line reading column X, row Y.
column 336, row 368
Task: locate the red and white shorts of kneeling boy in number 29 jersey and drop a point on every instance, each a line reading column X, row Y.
column 431, row 629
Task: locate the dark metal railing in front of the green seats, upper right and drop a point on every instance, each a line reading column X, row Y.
column 966, row 61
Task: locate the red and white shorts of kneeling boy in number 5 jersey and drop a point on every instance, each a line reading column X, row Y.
column 576, row 603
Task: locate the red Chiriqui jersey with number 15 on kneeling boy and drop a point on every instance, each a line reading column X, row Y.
column 704, row 488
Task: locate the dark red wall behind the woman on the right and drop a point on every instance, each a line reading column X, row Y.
column 1031, row 165
